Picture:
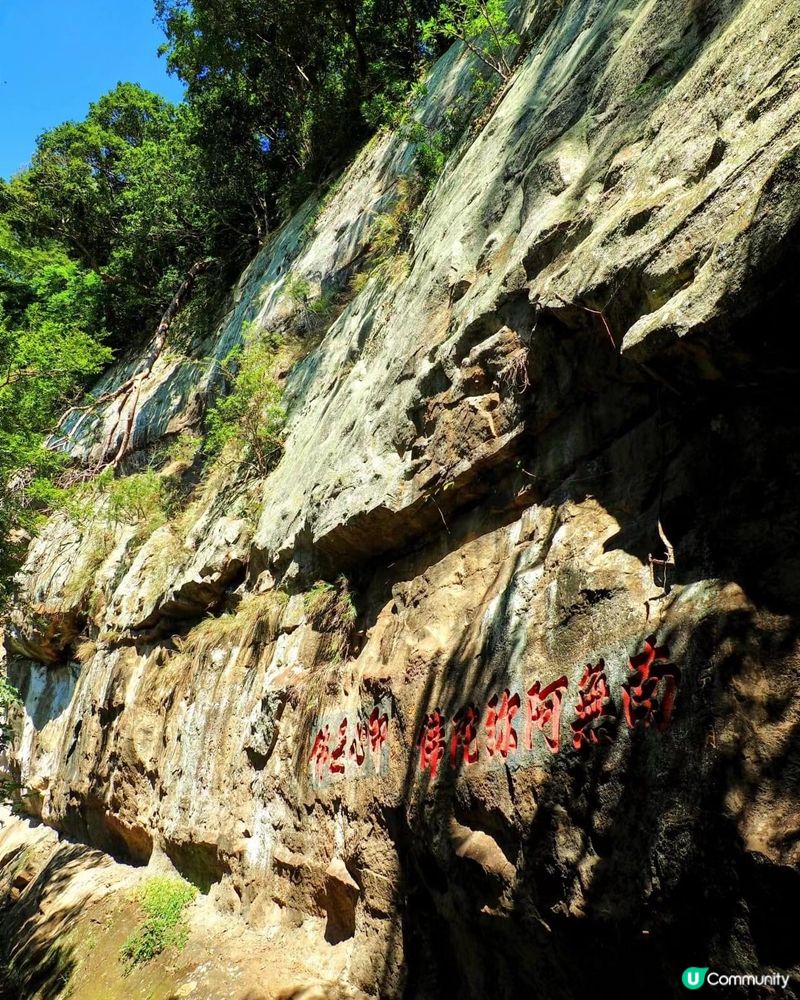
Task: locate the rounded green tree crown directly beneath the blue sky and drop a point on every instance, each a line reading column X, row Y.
column 118, row 191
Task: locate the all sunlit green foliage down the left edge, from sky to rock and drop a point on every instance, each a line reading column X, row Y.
column 96, row 237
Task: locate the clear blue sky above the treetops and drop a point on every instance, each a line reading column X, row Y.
column 58, row 55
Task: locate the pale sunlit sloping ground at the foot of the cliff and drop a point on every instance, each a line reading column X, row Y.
column 70, row 908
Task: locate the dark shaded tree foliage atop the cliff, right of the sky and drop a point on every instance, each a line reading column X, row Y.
column 294, row 85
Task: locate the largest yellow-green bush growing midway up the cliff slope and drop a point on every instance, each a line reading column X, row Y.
column 250, row 418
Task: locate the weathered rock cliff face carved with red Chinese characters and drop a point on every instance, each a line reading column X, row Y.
column 537, row 747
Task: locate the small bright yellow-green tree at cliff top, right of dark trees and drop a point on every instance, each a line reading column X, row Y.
column 483, row 27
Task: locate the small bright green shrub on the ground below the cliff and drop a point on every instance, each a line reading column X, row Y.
column 164, row 899
